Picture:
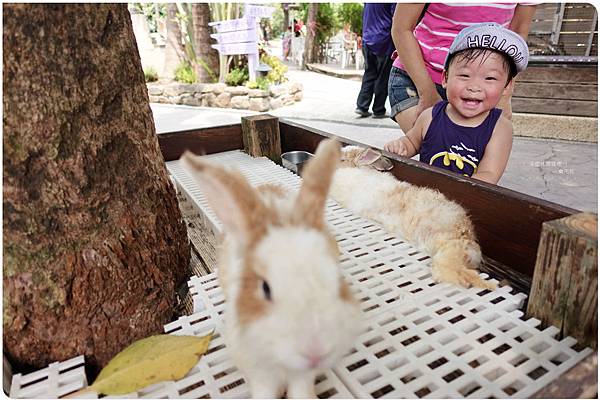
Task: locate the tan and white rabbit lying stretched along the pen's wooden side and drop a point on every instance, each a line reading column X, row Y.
column 422, row 216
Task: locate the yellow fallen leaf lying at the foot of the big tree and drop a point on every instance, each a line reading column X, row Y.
column 150, row 360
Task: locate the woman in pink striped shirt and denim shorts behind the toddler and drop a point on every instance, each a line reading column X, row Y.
column 422, row 46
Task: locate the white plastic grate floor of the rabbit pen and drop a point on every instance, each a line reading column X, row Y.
column 423, row 340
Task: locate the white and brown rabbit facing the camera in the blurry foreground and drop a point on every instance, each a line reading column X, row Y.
column 289, row 313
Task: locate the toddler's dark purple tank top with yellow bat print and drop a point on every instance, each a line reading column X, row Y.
column 454, row 147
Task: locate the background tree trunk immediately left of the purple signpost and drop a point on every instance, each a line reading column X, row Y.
column 207, row 58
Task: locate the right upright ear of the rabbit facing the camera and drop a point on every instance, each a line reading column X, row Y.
column 316, row 177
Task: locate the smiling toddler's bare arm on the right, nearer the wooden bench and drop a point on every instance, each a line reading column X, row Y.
column 497, row 151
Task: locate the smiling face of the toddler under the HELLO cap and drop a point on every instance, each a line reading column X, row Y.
column 475, row 86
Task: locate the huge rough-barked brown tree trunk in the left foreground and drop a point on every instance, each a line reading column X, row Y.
column 94, row 244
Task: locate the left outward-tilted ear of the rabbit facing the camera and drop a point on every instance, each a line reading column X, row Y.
column 229, row 195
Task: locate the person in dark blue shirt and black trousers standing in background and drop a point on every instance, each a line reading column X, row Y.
column 377, row 48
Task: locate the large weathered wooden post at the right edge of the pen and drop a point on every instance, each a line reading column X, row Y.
column 564, row 292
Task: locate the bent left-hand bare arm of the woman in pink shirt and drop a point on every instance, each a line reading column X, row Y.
column 405, row 19
